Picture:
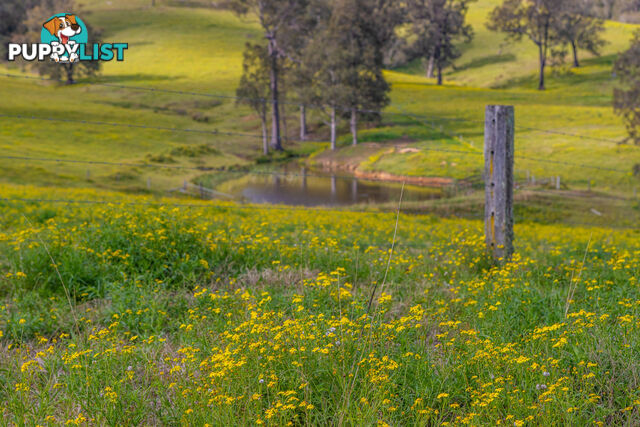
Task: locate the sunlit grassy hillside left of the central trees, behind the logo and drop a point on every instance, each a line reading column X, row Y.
column 171, row 48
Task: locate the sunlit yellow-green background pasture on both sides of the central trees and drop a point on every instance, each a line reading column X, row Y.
column 200, row 50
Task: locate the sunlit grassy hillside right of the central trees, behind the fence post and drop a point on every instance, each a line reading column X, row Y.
column 577, row 101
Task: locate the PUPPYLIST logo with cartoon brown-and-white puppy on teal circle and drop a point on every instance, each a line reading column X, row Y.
column 64, row 39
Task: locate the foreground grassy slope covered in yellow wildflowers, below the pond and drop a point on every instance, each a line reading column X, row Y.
column 136, row 314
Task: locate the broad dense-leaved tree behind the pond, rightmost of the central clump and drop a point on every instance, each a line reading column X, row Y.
column 343, row 62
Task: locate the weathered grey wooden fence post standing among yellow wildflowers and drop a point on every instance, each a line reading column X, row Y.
column 499, row 164
